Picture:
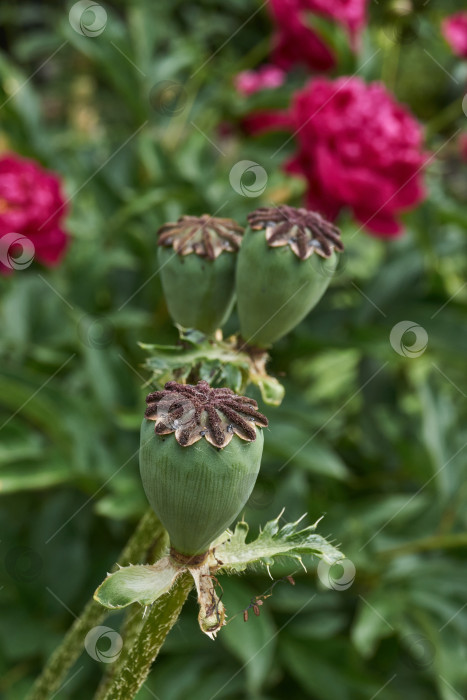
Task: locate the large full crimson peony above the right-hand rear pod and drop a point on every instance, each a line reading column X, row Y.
column 357, row 148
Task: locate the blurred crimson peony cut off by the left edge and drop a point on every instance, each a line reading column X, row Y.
column 31, row 208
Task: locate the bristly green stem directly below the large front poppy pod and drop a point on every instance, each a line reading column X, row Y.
column 162, row 617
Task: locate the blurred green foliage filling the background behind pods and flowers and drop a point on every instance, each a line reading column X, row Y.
column 373, row 439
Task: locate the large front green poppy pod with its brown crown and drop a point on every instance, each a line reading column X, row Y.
column 199, row 459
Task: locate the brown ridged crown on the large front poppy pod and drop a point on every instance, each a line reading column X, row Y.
column 196, row 411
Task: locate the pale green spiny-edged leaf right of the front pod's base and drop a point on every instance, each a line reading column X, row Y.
column 274, row 541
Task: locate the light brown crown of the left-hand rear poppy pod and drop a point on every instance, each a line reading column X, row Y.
column 205, row 235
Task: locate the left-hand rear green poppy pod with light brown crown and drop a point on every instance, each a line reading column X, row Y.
column 197, row 257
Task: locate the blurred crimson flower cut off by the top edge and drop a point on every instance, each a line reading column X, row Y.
column 295, row 41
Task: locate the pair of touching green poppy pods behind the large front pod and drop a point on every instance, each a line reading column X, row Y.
column 271, row 268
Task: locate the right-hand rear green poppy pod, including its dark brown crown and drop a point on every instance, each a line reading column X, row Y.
column 278, row 281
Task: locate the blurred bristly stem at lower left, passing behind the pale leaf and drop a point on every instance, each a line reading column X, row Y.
column 72, row 646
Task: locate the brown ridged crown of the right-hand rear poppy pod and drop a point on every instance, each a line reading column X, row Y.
column 306, row 232
